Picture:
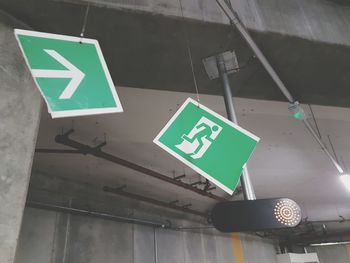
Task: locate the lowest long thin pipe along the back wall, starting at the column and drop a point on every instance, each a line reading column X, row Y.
column 71, row 210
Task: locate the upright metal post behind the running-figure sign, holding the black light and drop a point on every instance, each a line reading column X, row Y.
column 248, row 190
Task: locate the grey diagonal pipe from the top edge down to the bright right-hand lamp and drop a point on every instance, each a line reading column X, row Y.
column 236, row 22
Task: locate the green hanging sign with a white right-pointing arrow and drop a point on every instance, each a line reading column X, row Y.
column 70, row 72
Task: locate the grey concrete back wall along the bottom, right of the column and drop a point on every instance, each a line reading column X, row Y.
column 59, row 238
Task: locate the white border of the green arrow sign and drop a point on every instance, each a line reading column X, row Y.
column 82, row 112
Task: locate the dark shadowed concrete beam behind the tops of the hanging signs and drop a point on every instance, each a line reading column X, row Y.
column 149, row 51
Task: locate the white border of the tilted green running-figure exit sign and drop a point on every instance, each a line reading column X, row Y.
column 195, row 168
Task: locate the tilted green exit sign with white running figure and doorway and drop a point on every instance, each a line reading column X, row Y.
column 210, row 144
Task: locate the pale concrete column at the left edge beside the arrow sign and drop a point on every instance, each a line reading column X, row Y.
column 20, row 105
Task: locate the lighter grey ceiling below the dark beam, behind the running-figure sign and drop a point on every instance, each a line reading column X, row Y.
column 286, row 163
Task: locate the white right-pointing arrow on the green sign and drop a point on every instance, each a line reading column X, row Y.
column 72, row 72
